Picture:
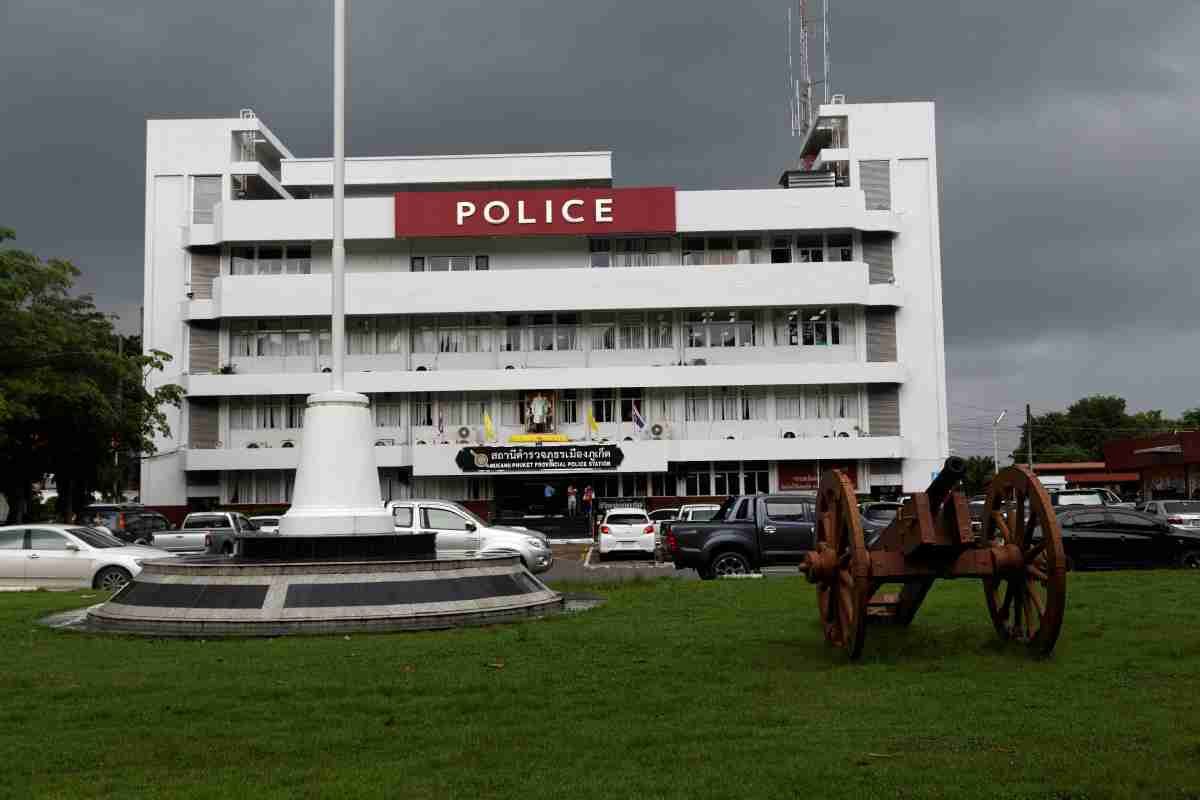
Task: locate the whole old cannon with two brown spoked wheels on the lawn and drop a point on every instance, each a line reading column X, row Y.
column 1018, row 555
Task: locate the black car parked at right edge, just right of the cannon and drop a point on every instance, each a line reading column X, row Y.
column 1108, row 538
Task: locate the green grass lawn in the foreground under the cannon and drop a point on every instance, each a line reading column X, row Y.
column 673, row 689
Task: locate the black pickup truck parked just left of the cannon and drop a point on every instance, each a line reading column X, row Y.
column 747, row 534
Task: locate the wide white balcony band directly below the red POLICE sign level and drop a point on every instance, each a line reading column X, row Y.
column 734, row 286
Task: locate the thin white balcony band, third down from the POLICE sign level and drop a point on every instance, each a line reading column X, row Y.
column 772, row 374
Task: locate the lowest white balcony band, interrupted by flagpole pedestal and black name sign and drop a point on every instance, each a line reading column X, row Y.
column 640, row 456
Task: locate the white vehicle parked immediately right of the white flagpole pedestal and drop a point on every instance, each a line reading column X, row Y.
column 460, row 534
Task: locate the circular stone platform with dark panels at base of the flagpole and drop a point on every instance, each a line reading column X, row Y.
column 205, row 597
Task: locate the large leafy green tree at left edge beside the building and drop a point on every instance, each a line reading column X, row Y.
column 70, row 399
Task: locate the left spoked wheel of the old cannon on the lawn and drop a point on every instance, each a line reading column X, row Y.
column 841, row 566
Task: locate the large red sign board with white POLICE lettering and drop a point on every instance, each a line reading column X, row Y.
column 537, row 213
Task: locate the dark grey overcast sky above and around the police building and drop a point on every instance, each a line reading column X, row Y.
column 1067, row 137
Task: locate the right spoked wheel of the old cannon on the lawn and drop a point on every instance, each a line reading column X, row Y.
column 1028, row 597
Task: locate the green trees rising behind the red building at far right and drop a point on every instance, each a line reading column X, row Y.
column 1079, row 434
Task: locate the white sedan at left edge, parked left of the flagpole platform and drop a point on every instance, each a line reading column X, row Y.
column 68, row 557
